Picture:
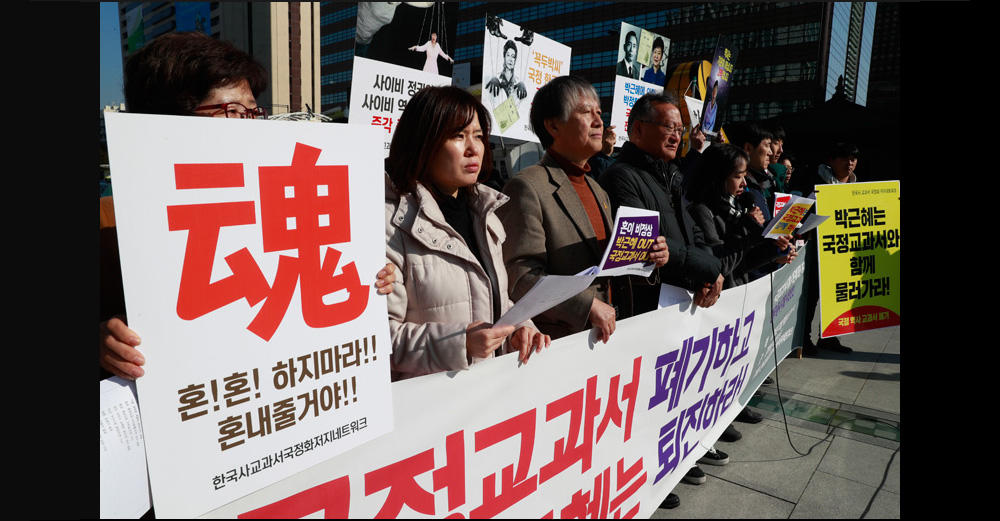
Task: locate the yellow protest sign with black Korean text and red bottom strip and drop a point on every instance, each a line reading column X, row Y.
column 859, row 247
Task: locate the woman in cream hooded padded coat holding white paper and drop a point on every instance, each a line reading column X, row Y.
column 444, row 237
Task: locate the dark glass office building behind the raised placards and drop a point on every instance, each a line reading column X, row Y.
column 792, row 54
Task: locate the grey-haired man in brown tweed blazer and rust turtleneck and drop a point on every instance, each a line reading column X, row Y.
column 559, row 219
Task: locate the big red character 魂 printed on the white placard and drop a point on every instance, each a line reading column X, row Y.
column 304, row 206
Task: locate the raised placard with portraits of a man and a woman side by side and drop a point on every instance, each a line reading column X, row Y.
column 642, row 60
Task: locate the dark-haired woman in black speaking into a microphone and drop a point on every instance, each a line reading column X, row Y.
column 732, row 227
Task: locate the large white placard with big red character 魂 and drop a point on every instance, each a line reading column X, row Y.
column 248, row 252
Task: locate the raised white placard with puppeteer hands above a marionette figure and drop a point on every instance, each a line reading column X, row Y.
column 516, row 63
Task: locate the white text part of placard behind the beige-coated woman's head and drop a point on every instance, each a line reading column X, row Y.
column 380, row 91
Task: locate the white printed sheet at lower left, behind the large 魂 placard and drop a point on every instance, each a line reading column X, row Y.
column 124, row 483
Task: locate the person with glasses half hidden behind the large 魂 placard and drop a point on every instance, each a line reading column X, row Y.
column 184, row 74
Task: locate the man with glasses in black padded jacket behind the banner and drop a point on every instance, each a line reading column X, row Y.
column 645, row 176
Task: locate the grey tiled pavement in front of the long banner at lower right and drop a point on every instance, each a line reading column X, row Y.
column 839, row 455
